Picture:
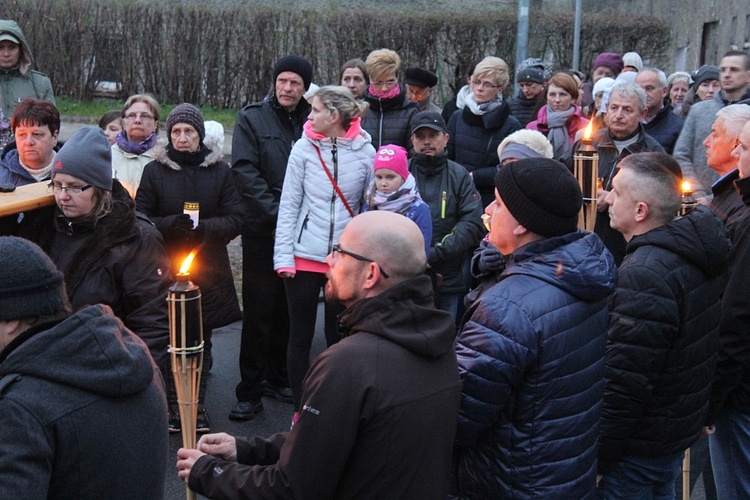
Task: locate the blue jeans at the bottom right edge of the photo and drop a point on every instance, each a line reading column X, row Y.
column 730, row 454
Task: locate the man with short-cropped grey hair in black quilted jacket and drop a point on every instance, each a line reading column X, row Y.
column 663, row 329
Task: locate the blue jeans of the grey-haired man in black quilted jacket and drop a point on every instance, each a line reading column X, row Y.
column 640, row 478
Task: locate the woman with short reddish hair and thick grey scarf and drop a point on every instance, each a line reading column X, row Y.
column 560, row 118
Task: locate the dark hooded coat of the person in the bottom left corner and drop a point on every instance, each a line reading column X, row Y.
column 85, row 414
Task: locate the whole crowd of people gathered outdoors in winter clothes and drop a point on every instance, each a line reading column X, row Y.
column 479, row 343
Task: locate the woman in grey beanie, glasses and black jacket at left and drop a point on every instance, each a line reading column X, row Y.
column 108, row 252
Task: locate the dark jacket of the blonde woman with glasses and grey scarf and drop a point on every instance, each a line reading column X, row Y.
column 473, row 143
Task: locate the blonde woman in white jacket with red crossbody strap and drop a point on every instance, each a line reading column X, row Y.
column 326, row 180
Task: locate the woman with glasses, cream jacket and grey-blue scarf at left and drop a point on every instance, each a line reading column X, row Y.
column 132, row 149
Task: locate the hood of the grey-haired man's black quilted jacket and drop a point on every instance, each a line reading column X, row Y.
column 698, row 237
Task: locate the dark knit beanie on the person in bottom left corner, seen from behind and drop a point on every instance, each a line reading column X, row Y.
column 30, row 284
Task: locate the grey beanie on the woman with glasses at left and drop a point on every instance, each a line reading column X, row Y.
column 87, row 156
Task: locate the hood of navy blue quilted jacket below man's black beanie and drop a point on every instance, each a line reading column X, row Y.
column 577, row 263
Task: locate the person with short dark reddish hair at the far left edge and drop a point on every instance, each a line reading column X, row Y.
column 35, row 125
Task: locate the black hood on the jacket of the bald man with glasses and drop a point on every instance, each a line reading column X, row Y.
column 405, row 315
